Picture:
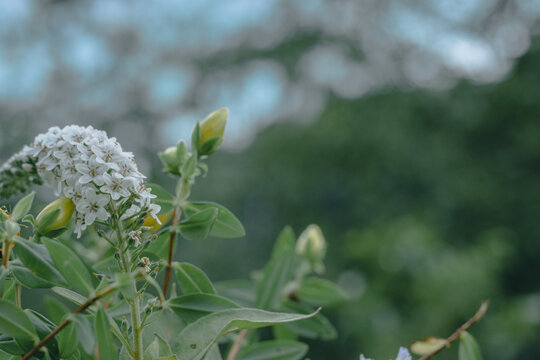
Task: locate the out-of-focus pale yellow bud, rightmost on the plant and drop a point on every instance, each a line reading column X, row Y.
column 311, row 245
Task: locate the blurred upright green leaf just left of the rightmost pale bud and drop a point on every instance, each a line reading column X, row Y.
column 278, row 272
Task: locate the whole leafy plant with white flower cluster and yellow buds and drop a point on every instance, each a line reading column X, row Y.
column 133, row 300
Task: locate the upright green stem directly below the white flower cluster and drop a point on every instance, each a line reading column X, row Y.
column 134, row 304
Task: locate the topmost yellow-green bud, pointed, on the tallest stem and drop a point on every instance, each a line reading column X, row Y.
column 211, row 131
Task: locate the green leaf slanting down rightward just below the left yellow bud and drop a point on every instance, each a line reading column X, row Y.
column 70, row 266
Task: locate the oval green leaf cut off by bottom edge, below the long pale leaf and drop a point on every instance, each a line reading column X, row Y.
column 274, row 350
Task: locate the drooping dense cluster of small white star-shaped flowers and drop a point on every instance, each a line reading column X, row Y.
column 89, row 168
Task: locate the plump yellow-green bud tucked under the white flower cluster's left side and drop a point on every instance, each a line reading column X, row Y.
column 55, row 216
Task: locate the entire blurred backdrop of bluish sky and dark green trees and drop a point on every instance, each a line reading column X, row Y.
column 408, row 130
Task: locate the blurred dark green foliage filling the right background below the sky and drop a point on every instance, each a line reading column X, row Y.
column 429, row 202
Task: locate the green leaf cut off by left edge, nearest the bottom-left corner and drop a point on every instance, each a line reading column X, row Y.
column 15, row 323
